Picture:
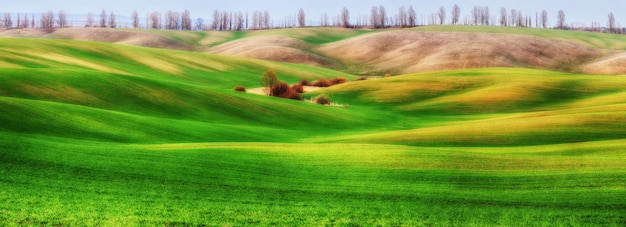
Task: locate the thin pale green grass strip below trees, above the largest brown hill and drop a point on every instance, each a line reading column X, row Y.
column 592, row 39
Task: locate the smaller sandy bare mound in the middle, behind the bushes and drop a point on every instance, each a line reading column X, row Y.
column 275, row 48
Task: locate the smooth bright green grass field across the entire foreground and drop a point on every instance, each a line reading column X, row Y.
column 75, row 182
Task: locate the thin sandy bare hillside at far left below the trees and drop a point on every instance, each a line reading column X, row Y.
column 128, row 37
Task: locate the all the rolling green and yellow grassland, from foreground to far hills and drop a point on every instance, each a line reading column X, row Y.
column 101, row 134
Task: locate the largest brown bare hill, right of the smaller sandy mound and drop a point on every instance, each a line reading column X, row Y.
column 409, row 51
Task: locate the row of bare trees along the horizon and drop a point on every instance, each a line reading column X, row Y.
column 377, row 18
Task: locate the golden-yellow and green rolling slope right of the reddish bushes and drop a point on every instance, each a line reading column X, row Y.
column 487, row 107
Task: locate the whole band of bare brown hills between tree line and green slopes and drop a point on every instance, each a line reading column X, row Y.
column 375, row 52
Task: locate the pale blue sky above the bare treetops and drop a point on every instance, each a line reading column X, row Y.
column 575, row 10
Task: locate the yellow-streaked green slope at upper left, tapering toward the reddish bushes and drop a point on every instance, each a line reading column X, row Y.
column 204, row 69
